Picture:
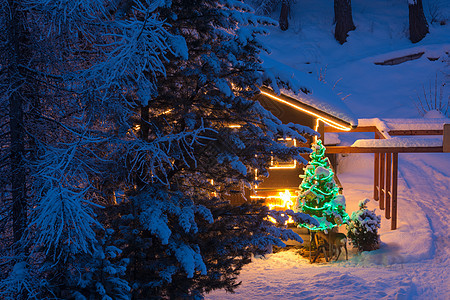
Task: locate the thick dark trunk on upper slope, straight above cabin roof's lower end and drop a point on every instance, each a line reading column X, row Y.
column 343, row 18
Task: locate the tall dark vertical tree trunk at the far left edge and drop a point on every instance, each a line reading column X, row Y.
column 16, row 81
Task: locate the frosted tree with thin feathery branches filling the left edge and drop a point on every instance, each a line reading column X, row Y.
column 74, row 71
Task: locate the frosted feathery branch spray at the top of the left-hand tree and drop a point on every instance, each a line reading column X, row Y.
column 135, row 56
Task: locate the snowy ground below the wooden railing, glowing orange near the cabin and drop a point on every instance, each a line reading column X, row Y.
column 413, row 262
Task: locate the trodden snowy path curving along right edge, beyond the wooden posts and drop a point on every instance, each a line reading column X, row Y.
column 428, row 187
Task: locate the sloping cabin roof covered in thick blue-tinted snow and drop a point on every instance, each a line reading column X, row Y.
column 319, row 95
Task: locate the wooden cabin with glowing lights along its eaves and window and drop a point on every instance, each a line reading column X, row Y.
column 315, row 109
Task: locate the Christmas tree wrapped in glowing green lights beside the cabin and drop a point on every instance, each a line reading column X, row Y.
column 319, row 195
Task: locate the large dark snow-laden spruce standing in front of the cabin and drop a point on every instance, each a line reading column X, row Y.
column 213, row 88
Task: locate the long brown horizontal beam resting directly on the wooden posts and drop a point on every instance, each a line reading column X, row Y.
column 348, row 149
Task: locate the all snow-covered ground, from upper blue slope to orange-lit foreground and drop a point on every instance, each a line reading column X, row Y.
column 414, row 260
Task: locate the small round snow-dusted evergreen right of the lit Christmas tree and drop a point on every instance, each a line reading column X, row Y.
column 362, row 230
